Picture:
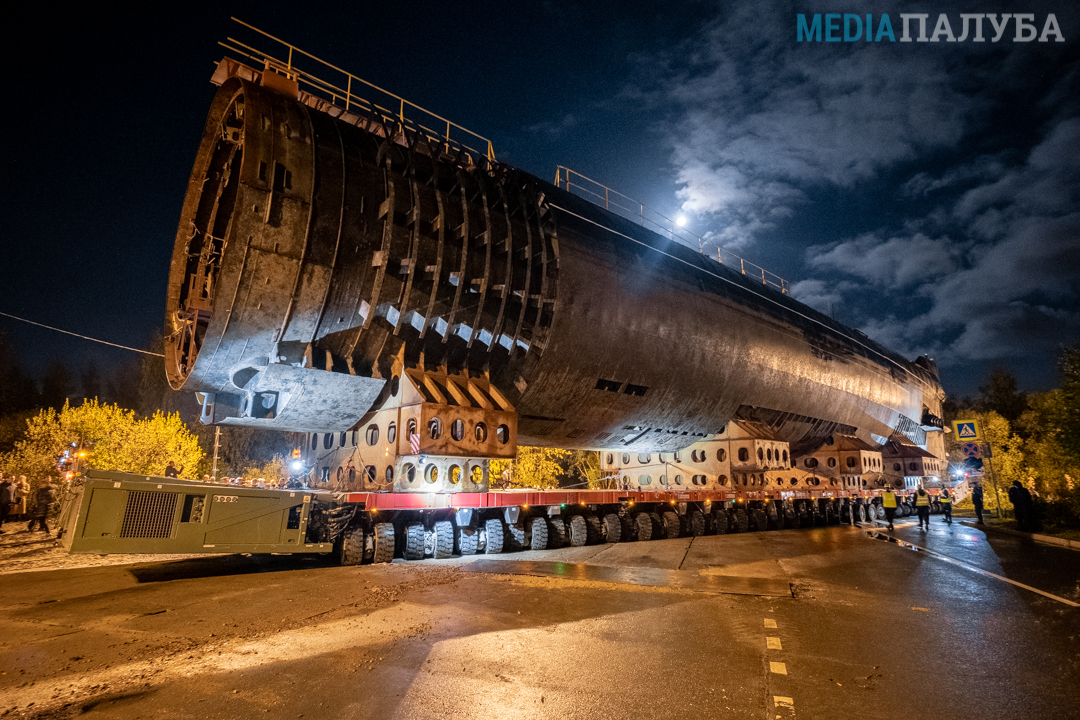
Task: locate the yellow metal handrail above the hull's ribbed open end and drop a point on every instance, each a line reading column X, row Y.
column 339, row 94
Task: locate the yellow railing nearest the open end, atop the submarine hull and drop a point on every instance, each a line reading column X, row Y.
column 347, row 101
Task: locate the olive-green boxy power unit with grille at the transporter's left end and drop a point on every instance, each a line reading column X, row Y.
column 111, row 512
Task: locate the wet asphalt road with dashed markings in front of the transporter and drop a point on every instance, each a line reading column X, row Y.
column 859, row 628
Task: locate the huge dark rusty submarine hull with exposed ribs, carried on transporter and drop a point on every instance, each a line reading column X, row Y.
column 318, row 260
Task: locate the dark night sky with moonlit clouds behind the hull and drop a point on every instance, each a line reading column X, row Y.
column 927, row 194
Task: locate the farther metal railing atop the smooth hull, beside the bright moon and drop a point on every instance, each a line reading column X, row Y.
column 632, row 210
